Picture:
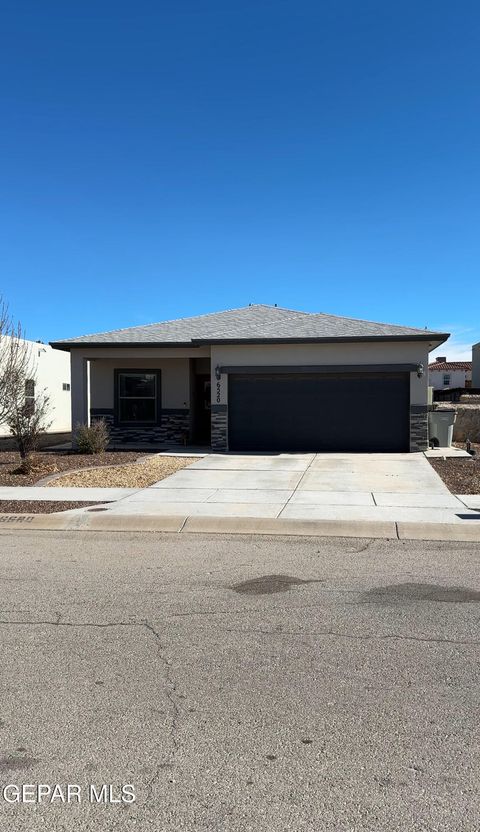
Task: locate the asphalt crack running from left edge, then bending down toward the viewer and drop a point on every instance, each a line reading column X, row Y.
column 171, row 692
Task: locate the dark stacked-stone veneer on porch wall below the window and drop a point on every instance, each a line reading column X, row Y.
column 175, row 423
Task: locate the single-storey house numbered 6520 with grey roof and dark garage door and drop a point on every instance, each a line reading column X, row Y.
column 259, row 378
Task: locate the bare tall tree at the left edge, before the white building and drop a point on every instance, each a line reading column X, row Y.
column 21, row 408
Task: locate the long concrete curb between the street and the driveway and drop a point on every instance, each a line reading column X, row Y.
column 241, row 525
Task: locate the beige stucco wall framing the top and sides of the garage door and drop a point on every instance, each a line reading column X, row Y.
column 320, row 354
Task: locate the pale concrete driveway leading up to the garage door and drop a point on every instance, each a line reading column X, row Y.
column 302, row 486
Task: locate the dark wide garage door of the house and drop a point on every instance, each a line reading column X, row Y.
column 319, row 412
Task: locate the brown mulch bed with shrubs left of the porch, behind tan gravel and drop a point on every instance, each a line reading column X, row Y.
column 50, row 462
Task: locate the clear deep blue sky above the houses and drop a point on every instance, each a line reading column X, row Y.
column 169, row 158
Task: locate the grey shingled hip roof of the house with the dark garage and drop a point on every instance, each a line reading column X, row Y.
column 256, row 322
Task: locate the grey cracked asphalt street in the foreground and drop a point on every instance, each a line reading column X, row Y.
column 239, row 683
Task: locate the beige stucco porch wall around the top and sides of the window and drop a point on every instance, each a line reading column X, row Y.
column 175, row 379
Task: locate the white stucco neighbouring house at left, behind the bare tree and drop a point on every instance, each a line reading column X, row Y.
column 51, row 371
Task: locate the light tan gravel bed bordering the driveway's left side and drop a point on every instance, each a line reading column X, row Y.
column 140, row 475
